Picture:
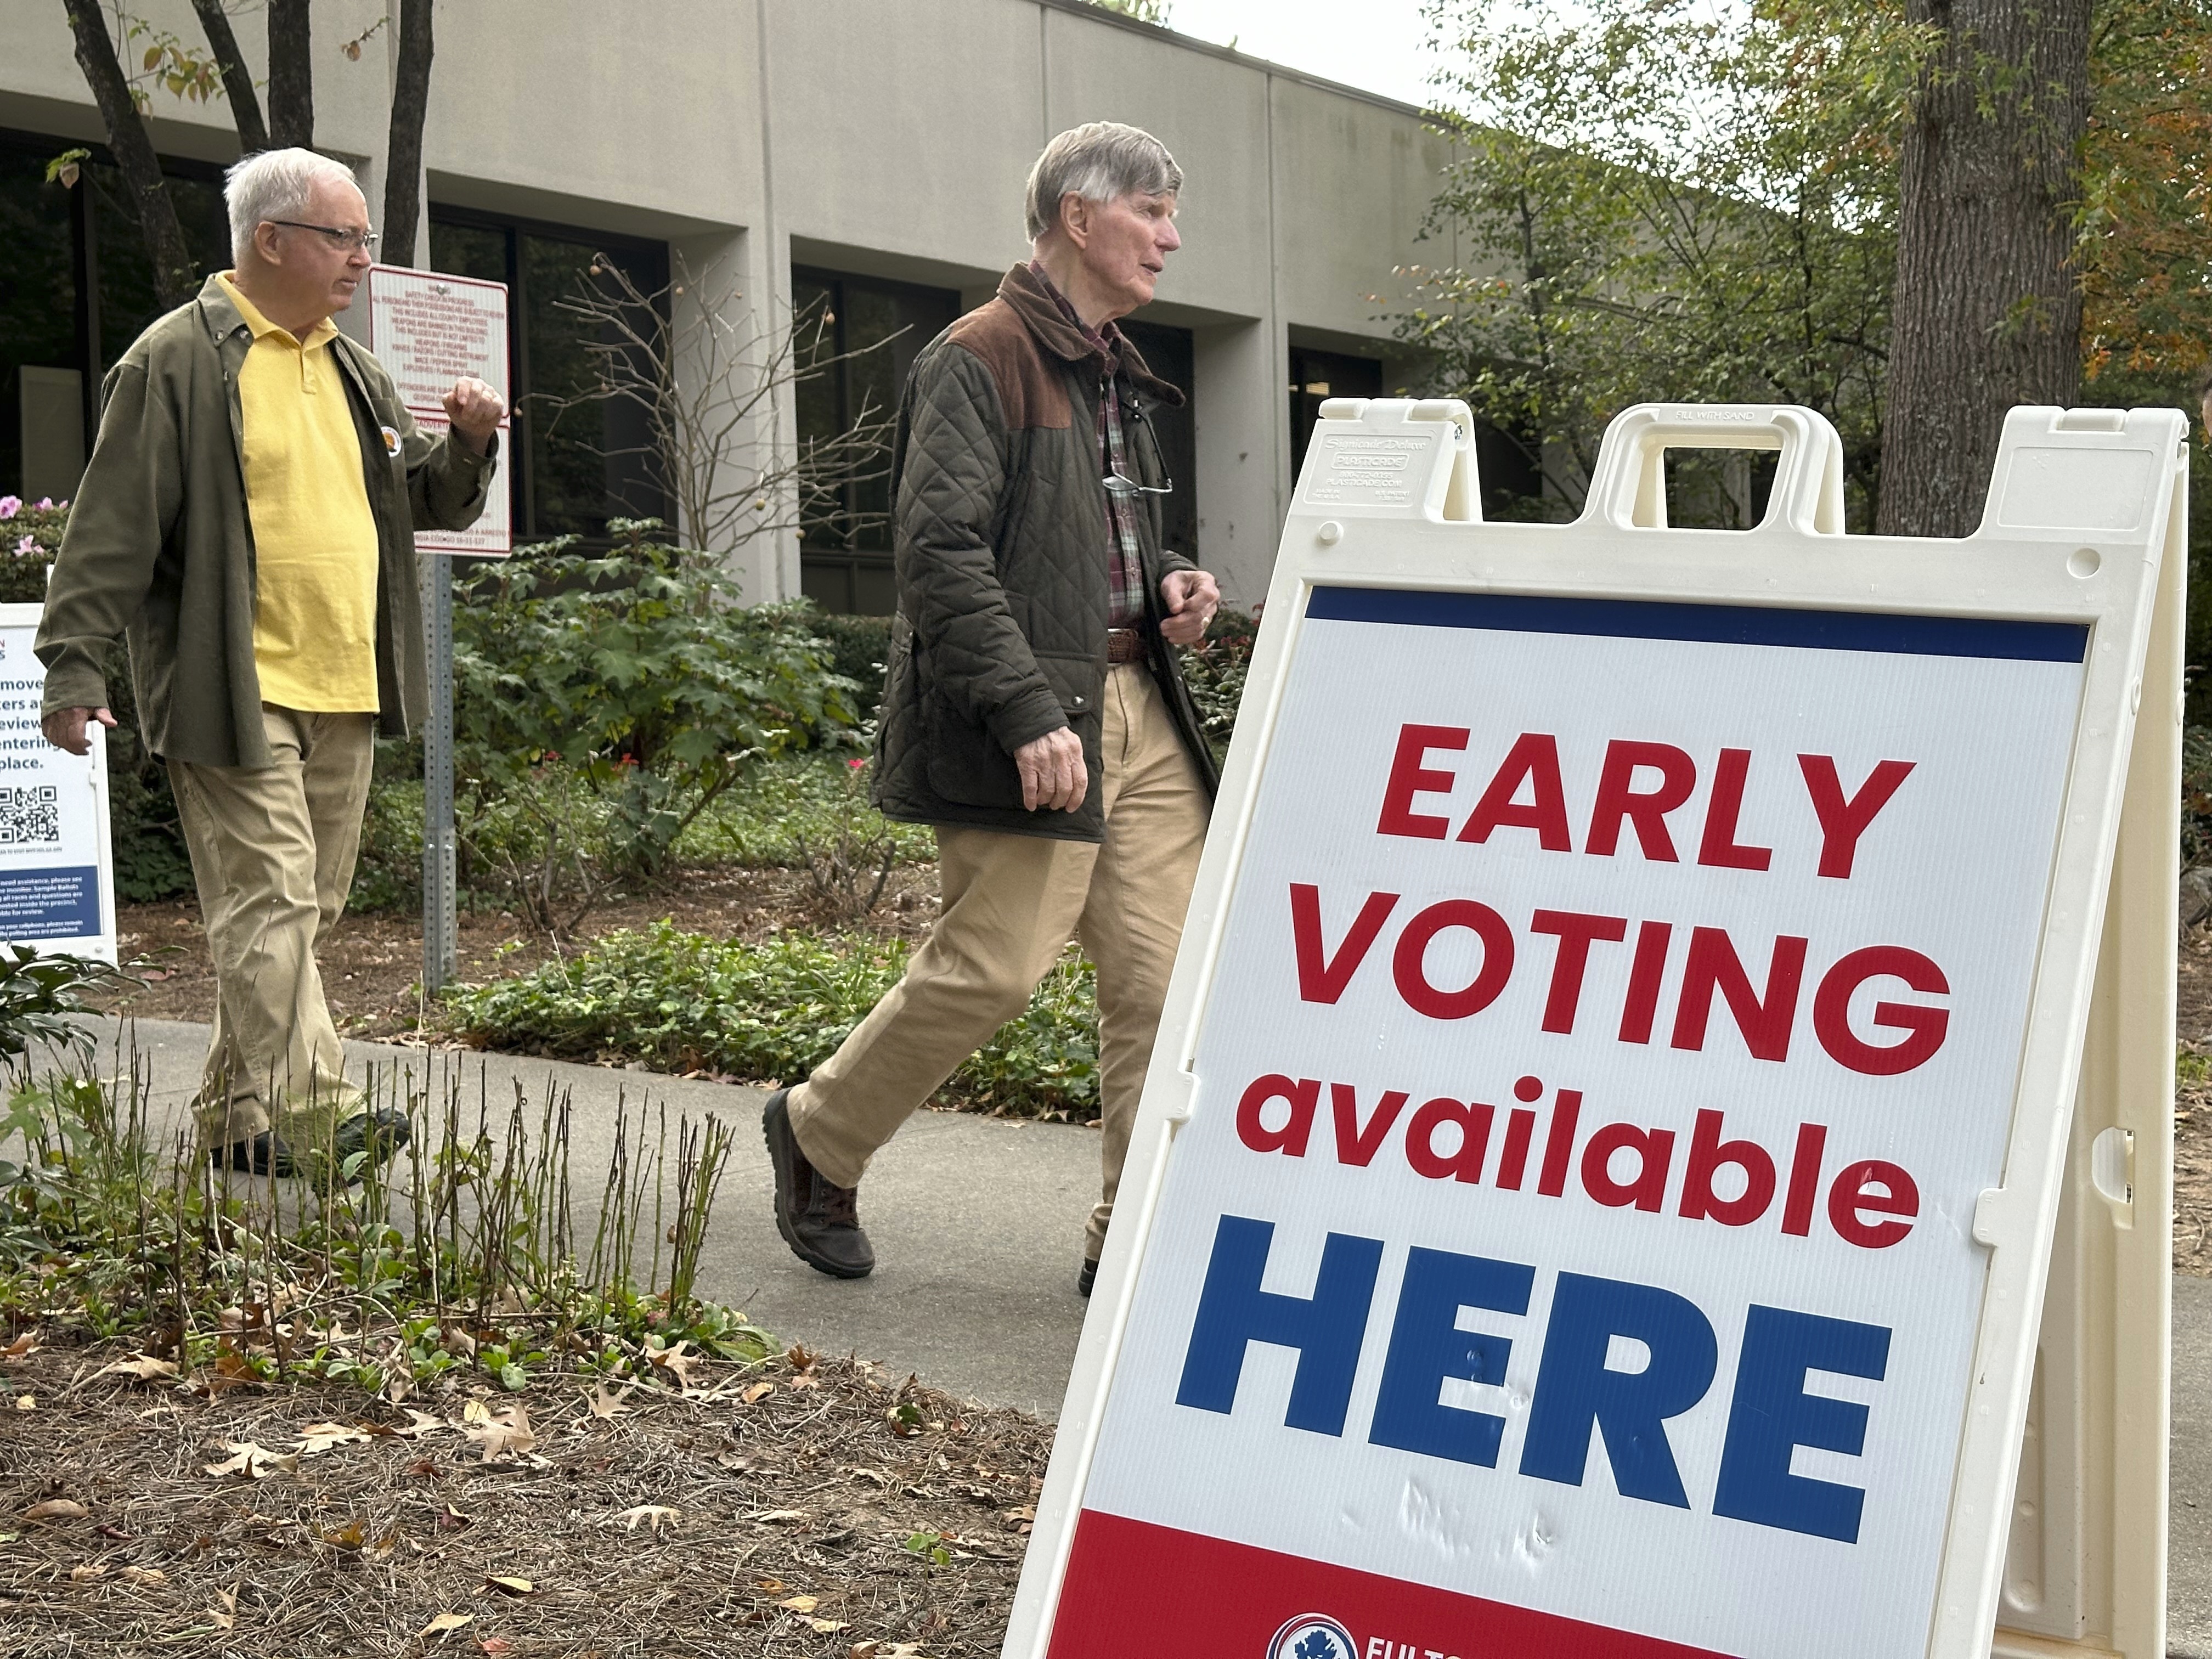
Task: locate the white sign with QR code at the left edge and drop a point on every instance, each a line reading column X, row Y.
column 56, row 842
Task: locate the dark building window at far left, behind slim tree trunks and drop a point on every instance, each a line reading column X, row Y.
column 76, row 291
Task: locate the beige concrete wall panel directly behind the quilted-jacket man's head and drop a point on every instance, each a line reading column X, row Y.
column 1213, row 118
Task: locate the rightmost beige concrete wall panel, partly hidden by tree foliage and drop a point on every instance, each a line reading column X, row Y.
column 1353, row 185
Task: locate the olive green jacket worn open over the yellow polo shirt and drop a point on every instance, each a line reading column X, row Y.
column 160, row 547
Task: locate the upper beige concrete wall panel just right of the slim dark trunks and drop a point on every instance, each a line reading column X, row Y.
column 651, row 107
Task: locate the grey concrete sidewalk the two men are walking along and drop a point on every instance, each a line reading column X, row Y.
column 979, row 1231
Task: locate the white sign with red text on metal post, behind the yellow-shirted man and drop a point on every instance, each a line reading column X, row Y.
column 430, row 331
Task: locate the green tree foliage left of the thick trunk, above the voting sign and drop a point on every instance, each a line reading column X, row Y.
column 1649, row 202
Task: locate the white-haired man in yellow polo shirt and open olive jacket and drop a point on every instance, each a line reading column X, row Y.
column 249, row 521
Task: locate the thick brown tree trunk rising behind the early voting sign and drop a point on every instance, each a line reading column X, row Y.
column 1987, row 311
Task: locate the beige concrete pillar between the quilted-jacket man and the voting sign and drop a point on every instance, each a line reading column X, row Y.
column 1242, row 439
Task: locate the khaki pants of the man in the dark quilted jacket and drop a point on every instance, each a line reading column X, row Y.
column 1010, row 908
